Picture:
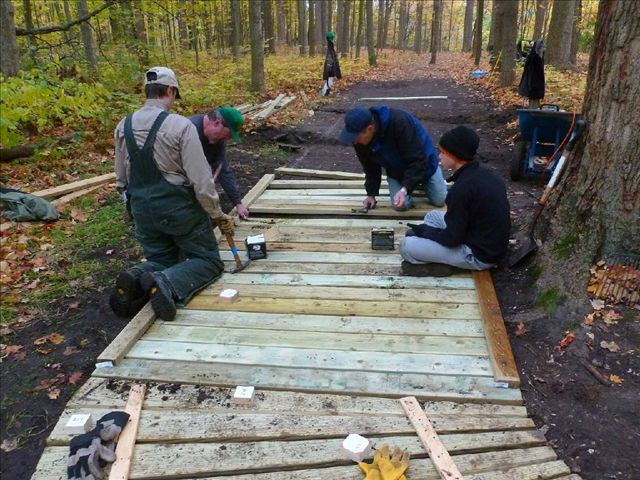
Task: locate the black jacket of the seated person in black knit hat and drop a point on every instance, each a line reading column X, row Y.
column 478, row 214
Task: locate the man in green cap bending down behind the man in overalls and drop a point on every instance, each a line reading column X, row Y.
column 214, row 129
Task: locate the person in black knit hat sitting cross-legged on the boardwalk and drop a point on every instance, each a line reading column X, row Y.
column 474, row 233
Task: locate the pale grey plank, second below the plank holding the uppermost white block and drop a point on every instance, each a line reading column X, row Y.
column 330, row 323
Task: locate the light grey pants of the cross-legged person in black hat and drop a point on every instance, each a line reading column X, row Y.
column 422, row 250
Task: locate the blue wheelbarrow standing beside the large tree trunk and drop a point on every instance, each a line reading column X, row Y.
column 542, row 133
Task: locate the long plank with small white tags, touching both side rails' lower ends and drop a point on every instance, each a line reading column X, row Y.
column 427, row 387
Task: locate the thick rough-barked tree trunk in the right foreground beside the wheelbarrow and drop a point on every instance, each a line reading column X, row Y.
column 596, row 207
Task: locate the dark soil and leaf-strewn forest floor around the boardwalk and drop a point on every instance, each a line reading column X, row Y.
column 56, row 318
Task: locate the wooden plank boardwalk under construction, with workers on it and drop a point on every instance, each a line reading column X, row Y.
column 331, row 335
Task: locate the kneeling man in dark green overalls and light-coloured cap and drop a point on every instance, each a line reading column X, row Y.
column 160, row 162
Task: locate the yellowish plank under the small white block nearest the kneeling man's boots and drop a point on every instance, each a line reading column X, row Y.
column 418, row 295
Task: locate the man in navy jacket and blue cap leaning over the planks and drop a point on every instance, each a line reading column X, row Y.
column 395, row 140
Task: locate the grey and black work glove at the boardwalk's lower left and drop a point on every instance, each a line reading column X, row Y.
column 90, row 451
